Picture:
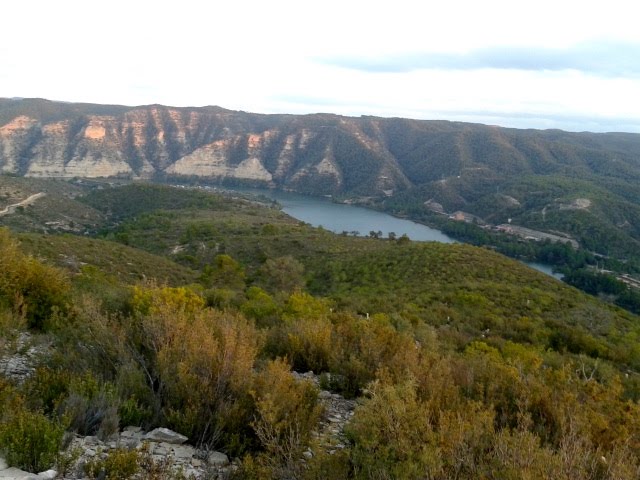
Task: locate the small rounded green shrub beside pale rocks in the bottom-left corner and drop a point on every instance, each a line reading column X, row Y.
column 31, row 441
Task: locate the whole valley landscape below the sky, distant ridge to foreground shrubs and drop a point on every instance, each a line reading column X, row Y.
column 283, row 350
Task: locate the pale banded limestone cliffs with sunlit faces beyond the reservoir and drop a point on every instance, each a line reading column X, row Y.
column 46, row 139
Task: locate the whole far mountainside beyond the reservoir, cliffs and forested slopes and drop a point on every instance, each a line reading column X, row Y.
column 545, row 179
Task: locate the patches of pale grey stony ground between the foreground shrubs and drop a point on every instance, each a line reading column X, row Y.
column 163, row 450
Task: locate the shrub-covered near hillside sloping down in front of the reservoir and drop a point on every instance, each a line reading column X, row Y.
column 189, row 310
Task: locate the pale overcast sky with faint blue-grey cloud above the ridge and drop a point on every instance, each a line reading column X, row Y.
column 573, row 65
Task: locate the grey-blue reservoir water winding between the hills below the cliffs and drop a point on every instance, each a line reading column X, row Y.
column 338, row 218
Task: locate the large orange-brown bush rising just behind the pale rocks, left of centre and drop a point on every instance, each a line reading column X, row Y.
column 199, row 364
